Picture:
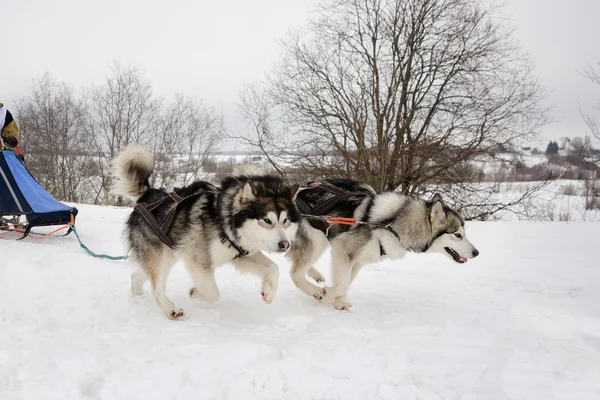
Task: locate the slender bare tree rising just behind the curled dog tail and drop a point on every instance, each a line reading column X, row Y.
column 120, row 112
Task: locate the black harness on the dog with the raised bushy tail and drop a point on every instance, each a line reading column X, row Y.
column 163, row 228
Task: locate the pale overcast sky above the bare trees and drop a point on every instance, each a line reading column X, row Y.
column 211, row 49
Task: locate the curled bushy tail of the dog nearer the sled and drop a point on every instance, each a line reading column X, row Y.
column 131, row 170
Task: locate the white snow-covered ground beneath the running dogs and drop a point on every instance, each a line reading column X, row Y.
column 522, row 321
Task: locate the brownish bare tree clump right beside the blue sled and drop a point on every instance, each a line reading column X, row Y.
column 53, row 138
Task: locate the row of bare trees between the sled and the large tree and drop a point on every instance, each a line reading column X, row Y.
column 69, row 135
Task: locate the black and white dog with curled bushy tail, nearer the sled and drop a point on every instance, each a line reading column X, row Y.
column 231, row 223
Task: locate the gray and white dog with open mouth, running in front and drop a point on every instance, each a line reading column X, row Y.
column 394, row 225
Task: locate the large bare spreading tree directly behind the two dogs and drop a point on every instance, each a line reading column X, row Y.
column 399, row 94
